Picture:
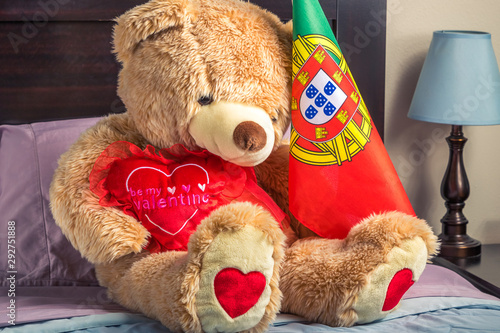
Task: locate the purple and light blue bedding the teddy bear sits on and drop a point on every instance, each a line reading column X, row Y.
column 441, row 301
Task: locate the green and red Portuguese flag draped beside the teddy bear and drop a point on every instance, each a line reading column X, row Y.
column 340, row 171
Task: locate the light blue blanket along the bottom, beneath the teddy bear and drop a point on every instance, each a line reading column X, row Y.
column 423, row 314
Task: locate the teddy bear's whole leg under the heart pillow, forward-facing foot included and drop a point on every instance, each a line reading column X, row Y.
column 227, row 281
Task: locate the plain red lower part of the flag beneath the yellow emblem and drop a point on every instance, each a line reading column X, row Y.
column 330, row 200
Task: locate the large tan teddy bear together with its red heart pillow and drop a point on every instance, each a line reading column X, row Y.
column 181, row 202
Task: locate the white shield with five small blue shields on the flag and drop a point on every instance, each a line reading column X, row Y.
column 321, row 99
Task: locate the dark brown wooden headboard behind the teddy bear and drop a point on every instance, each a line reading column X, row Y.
column 56, row 60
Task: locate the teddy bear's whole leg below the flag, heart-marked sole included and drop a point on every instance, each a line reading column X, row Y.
column 361, row 278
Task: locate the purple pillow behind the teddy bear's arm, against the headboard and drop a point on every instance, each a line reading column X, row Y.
column 28, row 158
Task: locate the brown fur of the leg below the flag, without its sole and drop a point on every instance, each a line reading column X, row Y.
column 321, row 274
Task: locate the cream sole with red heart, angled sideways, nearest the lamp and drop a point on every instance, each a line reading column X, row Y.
column 389, row 281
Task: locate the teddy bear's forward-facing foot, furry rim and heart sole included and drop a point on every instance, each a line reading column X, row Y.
column 239, row 248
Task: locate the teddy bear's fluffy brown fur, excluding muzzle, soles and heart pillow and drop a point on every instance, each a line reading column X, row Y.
column 173, row 53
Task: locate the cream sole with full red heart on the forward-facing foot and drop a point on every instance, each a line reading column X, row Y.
column 234, row 280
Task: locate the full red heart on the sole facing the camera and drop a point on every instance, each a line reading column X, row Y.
column 238, row 292
